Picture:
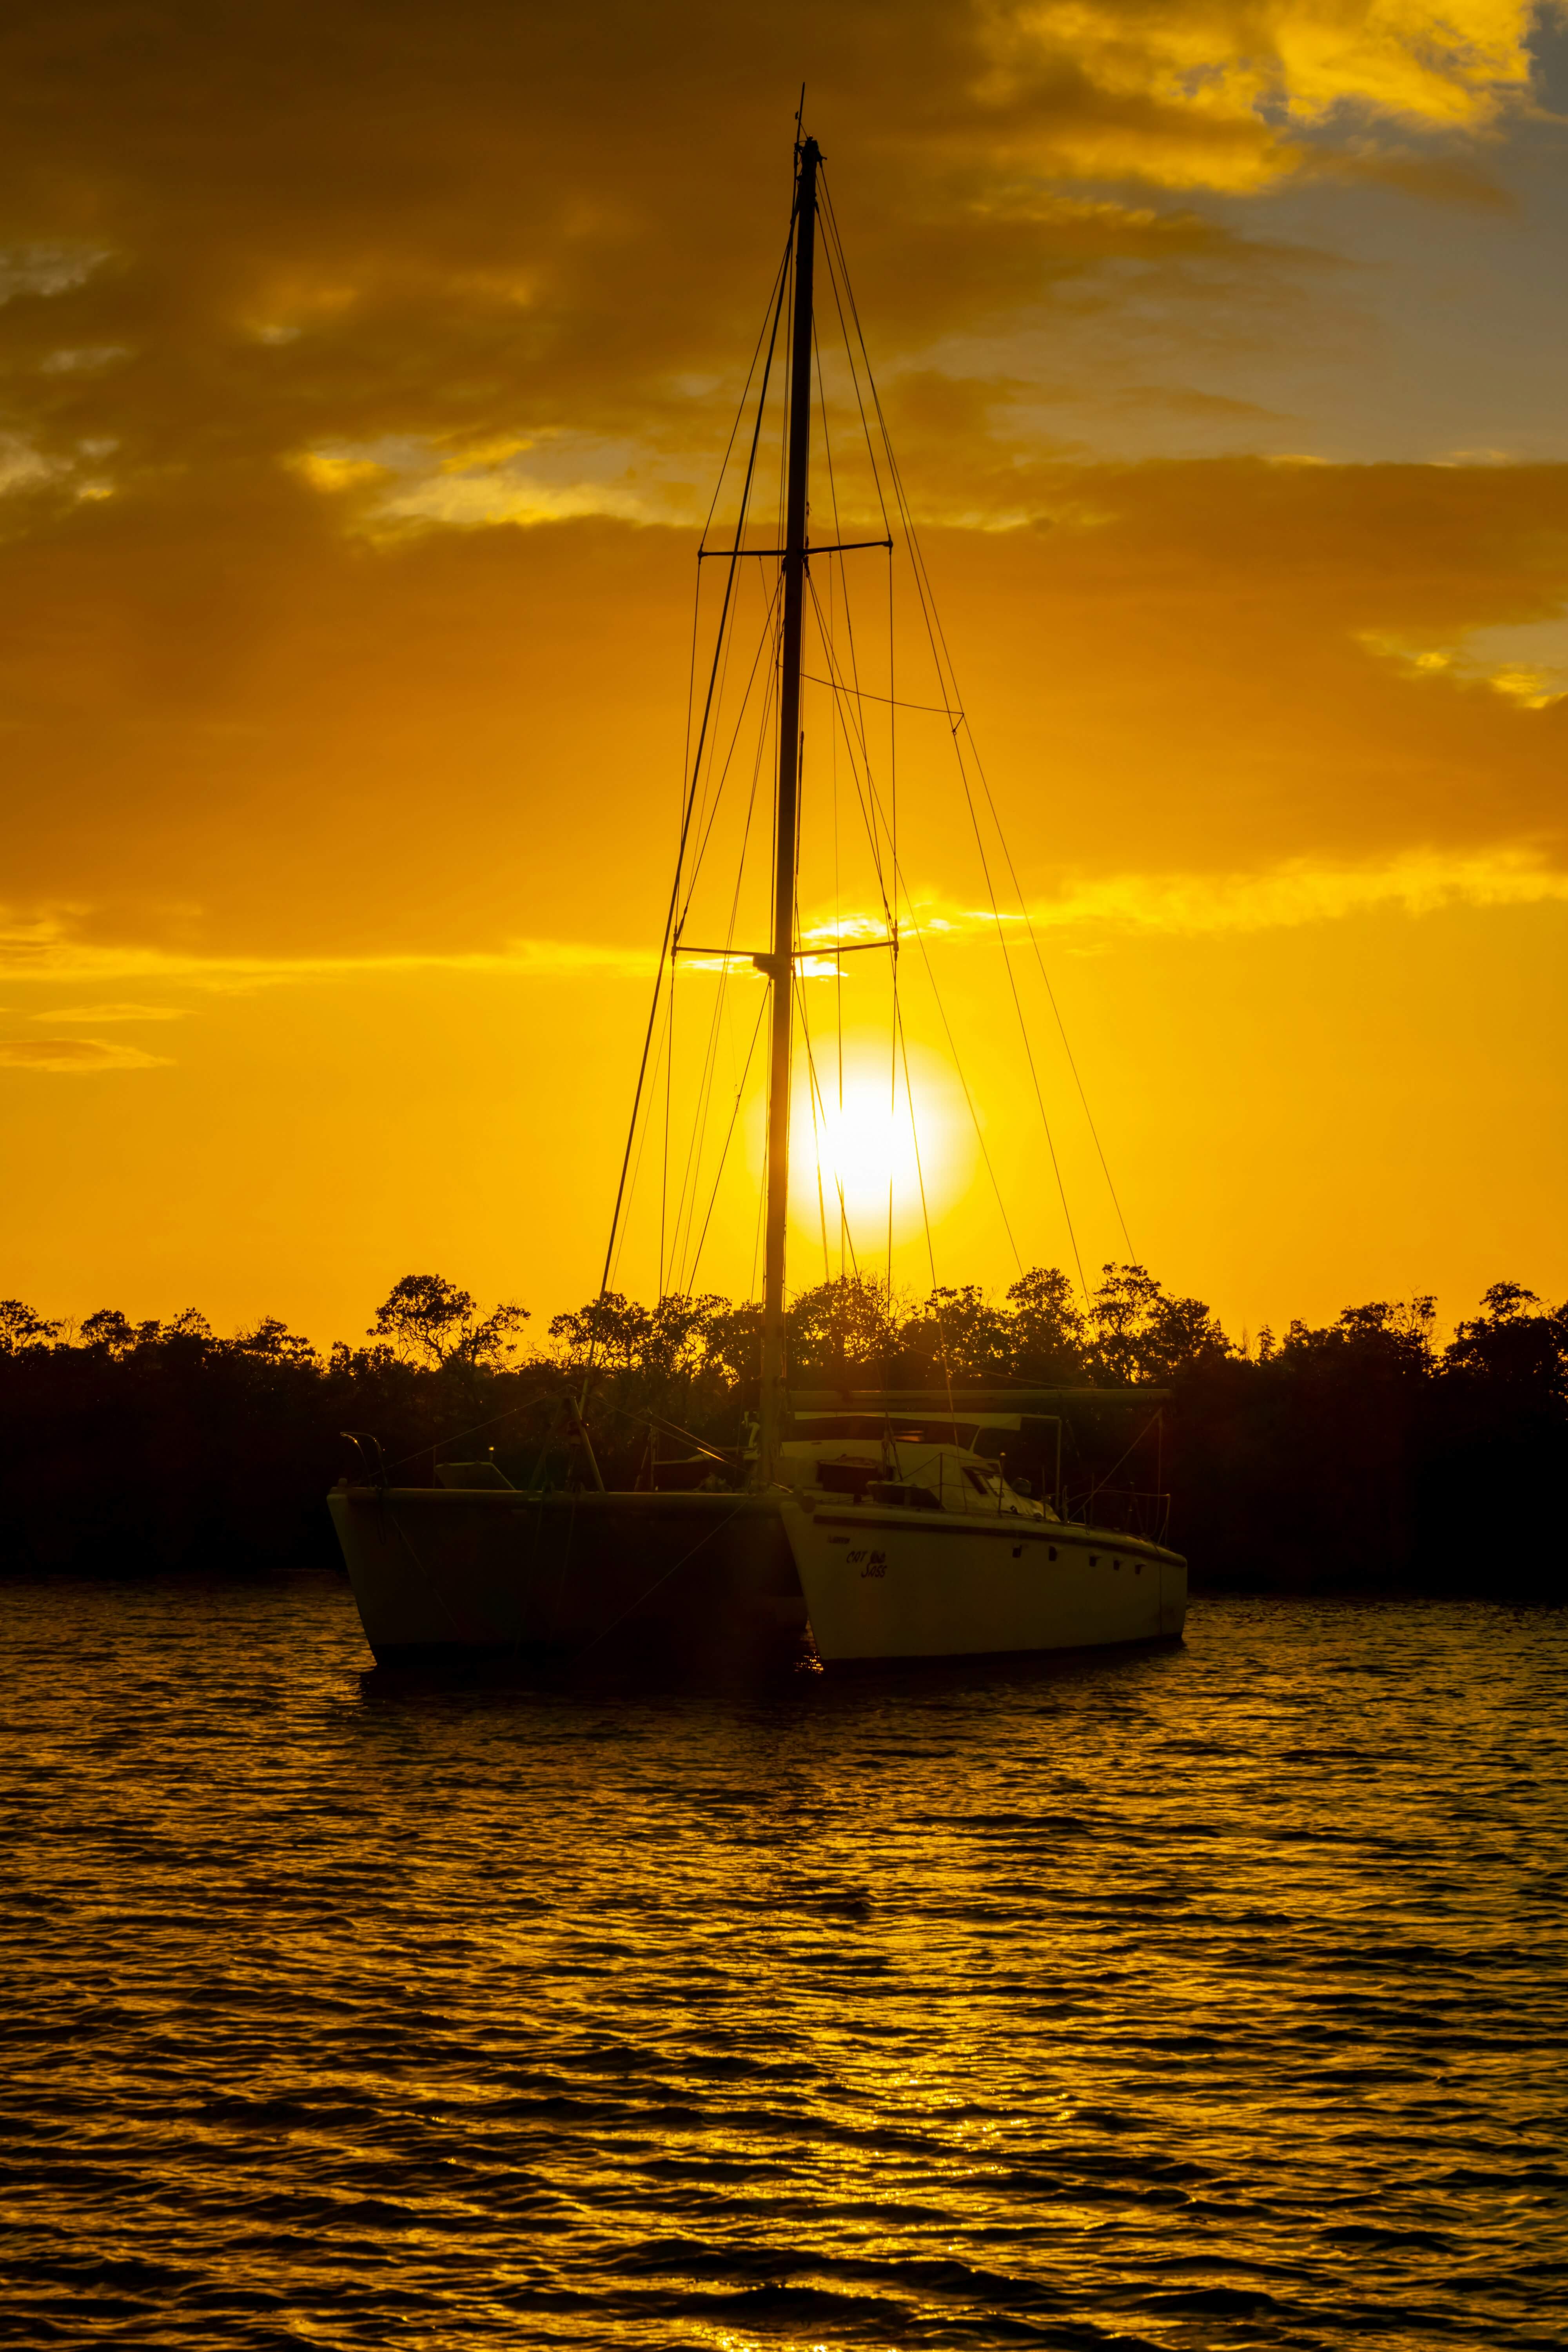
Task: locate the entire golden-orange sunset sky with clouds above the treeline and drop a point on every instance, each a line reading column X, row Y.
column 366, row 382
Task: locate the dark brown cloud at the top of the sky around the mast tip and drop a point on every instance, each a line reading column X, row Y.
column 464, row 220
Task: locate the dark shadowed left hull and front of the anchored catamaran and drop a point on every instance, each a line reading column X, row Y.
column 683, row 1579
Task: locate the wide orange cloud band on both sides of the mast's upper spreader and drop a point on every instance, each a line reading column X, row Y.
column 255, row 733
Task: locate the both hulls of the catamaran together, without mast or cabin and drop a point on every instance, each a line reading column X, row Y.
column 721, row 1579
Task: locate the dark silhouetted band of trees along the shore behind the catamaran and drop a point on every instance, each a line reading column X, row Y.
column 1360, row 1457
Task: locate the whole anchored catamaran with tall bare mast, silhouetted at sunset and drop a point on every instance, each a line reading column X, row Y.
column 852, row 1528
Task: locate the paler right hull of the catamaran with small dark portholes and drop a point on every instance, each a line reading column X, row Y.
column 932, row 1586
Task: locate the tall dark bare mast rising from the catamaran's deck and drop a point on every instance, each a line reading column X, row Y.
column 782, row 961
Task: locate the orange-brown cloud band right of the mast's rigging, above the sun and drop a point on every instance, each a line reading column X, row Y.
column 1207, row 662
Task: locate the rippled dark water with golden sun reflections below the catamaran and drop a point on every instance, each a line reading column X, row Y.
column 1188, row 2000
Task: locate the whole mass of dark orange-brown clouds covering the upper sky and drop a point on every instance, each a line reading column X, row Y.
column 241, row 236
